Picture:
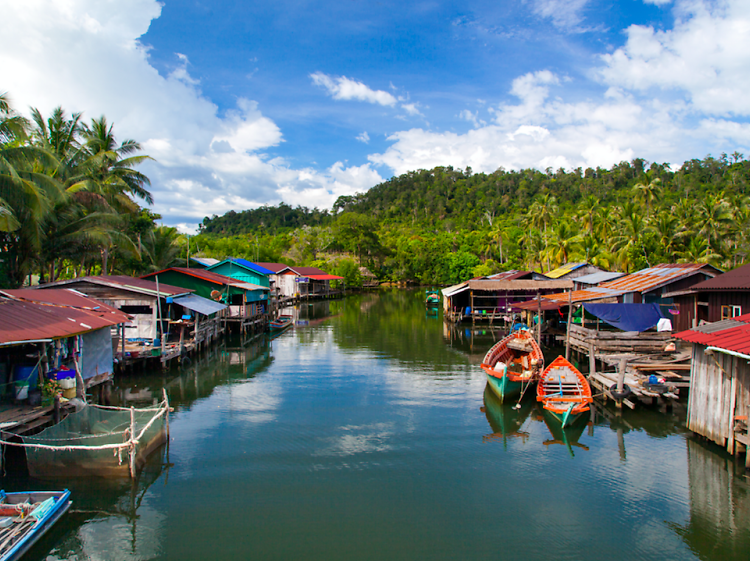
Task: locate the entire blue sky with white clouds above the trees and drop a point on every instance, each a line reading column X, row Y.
column 242, row 104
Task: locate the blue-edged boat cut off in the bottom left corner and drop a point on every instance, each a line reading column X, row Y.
column 25, row 517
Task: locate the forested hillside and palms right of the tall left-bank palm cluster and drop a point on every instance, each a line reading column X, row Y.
column 445, row 225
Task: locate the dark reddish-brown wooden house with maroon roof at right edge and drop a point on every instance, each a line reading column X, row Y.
column 721, row 297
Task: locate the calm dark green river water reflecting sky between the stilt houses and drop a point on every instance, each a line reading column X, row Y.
column 367, row 433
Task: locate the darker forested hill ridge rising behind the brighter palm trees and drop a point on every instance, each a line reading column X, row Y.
column 453, row 198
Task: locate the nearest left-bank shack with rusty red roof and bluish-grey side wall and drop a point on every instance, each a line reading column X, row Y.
column 53, row 329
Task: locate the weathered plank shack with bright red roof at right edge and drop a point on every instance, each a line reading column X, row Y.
column 719, row 403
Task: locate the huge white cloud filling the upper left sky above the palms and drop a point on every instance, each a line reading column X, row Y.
column 206, row 163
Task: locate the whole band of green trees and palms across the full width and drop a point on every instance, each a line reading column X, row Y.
column 68, row 195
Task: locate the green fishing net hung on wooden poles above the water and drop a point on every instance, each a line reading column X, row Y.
column 93, row 428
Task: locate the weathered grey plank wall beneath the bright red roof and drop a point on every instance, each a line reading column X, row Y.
column 719, row 390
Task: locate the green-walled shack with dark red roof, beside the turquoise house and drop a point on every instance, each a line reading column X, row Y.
column 247, row 303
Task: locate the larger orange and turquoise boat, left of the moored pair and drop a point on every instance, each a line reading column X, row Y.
column 512, row 364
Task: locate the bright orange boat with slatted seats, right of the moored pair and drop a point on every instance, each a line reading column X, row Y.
column 564, row 391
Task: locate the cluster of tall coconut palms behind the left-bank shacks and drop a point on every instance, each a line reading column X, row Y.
column 68, row 196
